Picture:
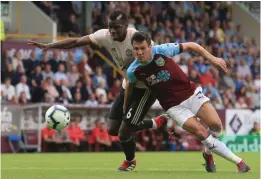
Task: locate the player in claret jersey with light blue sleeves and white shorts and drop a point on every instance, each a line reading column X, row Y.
column 182, row 100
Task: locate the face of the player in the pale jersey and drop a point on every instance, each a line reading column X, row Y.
column 117, row 30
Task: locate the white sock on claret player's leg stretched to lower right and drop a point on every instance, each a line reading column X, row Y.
column 220, row 149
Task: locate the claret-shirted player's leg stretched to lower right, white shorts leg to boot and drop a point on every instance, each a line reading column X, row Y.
column 185, row 118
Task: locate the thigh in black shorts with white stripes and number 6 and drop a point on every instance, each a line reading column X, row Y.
column 139, row 104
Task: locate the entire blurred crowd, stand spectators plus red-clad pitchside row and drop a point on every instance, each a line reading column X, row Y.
column 81, row 77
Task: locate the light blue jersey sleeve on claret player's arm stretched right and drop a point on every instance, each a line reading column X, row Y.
column 168, row 49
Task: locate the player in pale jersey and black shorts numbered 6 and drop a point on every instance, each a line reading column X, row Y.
column 122, row 122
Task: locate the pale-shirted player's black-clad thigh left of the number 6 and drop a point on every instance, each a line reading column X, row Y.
column 116, row 114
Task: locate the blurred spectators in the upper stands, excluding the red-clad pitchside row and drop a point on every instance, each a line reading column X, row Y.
column 80, row 79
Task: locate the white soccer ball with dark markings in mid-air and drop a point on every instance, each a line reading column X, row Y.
column 57, row 117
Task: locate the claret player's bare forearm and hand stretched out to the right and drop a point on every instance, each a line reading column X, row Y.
column 217, row 62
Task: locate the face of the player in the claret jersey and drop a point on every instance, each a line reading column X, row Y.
column 142, row 51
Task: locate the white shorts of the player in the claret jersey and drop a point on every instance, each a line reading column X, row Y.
column 188, row 108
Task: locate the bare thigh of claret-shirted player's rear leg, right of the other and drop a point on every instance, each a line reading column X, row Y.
column 209, row 116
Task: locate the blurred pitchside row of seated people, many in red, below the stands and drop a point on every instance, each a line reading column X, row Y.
column 73, row 138
